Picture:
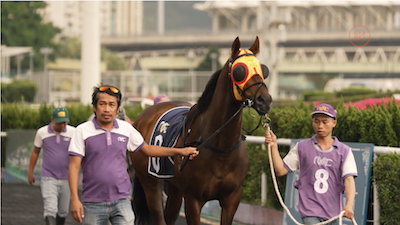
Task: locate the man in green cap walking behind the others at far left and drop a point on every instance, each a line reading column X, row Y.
column 54, row 138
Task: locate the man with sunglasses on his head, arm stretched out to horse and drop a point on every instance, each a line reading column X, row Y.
column 100, row 147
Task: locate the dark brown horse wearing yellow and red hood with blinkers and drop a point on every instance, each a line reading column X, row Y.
column 213, row 125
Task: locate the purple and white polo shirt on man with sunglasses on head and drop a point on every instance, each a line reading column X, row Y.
column 105, row 176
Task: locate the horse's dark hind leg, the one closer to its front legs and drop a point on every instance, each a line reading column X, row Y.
column 173, row 204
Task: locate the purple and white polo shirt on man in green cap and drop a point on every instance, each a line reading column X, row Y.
column 55, row 162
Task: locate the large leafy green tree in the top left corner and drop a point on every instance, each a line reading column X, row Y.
column 22, row 25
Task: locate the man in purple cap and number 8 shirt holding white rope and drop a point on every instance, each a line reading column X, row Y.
column 327, row 168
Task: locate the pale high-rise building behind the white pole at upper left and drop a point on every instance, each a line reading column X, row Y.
column 117, row 18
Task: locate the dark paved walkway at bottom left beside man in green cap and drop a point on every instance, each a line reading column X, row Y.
column 21, row 204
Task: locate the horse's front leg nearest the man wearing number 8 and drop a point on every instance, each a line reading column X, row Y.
column 229, row 206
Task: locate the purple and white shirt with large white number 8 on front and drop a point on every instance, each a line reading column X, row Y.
column 322, row 174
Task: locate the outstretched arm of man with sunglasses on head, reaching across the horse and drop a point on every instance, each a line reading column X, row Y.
column 158, row 151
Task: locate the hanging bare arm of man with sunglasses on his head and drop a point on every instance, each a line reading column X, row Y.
column 76, row 205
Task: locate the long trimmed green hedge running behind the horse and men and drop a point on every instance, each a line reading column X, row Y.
column 378, row 125
